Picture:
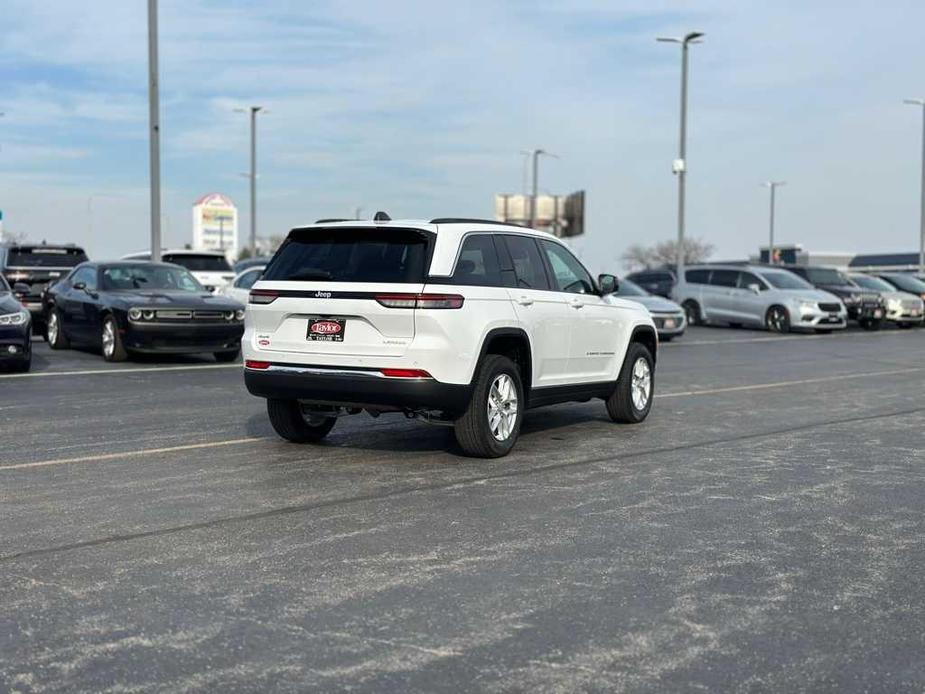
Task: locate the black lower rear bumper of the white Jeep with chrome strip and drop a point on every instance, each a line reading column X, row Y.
column 355, row 388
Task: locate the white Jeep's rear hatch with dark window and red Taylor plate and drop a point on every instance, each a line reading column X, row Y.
column 341, row 291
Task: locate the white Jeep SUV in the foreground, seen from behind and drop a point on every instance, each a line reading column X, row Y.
column 454, row 321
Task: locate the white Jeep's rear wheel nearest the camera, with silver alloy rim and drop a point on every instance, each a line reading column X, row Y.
column 491, row 423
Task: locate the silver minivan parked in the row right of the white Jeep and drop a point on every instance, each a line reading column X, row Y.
column 757, row 295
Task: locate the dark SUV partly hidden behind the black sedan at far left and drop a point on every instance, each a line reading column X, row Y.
column 37, row 266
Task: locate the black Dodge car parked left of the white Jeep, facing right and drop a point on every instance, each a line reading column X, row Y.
column 136, row 307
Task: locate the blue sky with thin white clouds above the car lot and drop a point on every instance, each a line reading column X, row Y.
column 420, row 108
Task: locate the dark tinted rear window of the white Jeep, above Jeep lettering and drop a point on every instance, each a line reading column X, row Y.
column 351, row 255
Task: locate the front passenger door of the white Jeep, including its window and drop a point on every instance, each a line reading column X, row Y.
column 595, row 323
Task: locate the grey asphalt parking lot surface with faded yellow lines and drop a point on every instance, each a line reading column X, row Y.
column 762, row 531
